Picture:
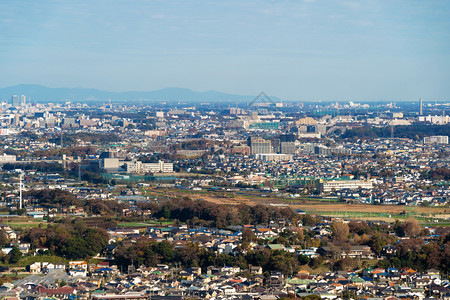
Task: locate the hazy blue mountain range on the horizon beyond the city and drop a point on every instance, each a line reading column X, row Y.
column 39, row 93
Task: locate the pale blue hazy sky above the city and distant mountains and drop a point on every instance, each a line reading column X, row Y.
column 297, row 50
